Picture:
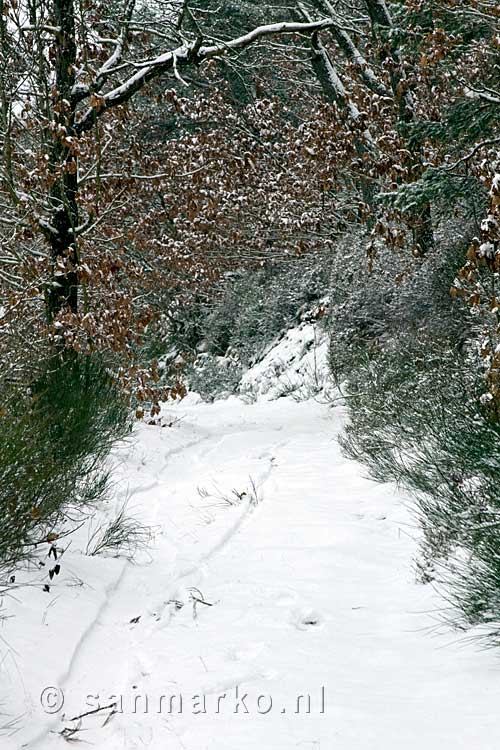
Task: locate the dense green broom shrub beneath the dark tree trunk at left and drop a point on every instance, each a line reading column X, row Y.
column 56, row 436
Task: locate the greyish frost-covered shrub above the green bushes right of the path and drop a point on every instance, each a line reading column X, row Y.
column 401, row 298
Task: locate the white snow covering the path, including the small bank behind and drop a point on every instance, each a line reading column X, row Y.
column 276, row 571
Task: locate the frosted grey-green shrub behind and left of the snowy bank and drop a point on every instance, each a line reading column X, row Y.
column 223, row 334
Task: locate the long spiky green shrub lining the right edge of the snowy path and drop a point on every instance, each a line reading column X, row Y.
column 413, row 391
